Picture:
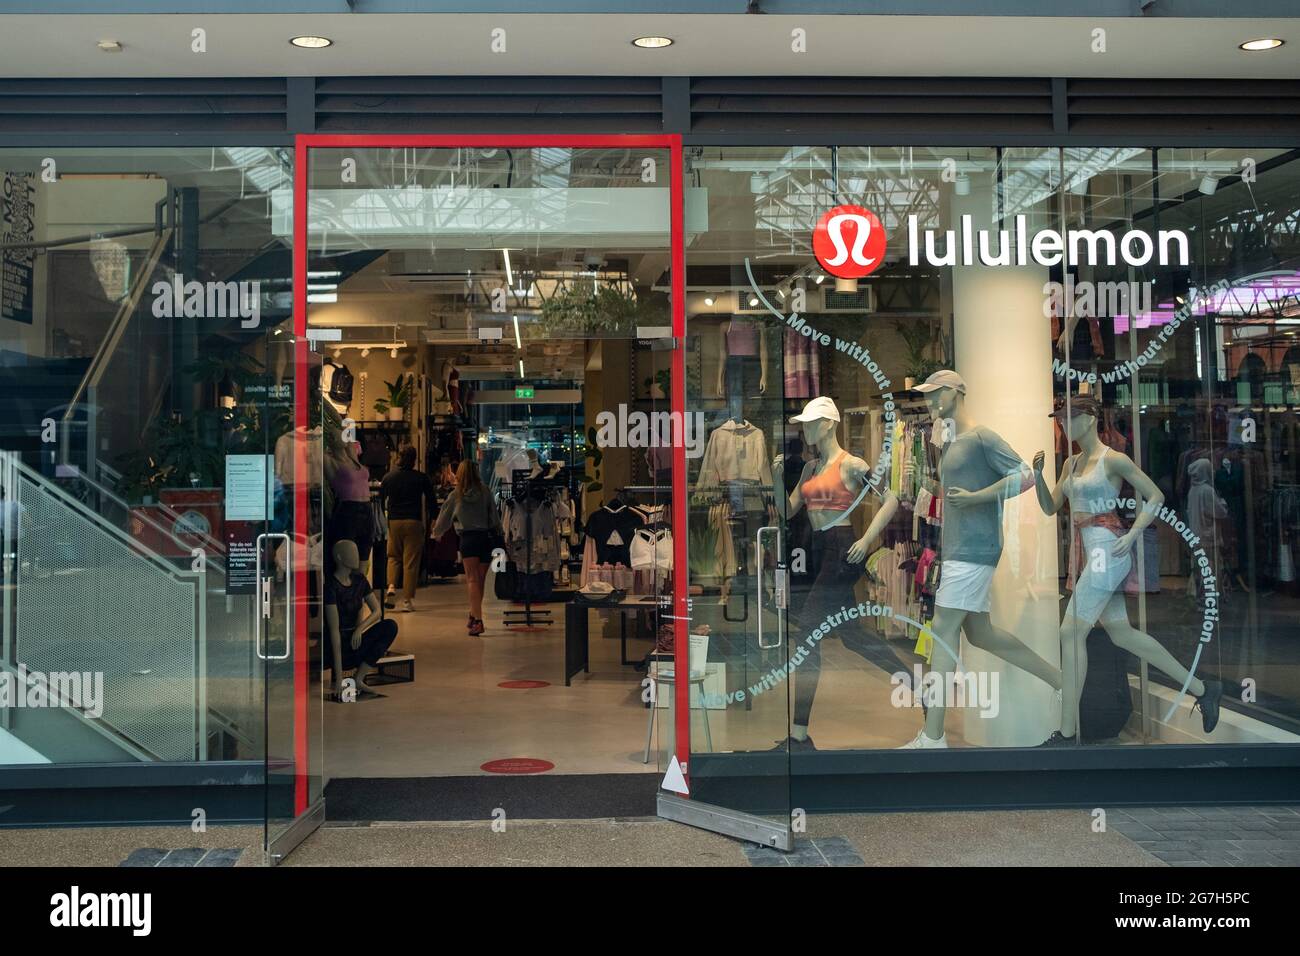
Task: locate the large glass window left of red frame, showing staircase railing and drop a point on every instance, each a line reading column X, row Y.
column 146, row 370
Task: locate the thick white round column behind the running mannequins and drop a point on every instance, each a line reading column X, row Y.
column 1003, row 347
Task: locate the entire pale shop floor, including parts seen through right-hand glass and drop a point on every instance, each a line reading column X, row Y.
column 456, row 717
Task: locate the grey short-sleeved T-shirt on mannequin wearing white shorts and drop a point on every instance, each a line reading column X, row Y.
column 974, row 461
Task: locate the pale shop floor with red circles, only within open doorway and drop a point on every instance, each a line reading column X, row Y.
column 456, row 717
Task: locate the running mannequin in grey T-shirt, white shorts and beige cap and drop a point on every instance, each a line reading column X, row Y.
column 972, row 544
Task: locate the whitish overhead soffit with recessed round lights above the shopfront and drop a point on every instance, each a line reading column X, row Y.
column 600, row 45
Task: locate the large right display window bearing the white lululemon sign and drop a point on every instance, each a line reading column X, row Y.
column 1113, row 321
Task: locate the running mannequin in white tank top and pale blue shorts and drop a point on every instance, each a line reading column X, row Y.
column 1087, row 481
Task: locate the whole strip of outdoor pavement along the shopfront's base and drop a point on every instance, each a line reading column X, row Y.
column 1133, row 837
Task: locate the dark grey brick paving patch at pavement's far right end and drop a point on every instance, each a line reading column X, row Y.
column 1214, row 836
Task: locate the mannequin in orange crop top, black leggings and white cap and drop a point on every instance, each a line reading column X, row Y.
column 831, row 486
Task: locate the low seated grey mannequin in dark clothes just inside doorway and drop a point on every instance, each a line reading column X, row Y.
column 353, row 639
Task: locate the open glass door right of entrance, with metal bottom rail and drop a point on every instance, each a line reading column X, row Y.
column 734, row 702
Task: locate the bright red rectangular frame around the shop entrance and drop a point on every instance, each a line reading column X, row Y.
column 678, row 401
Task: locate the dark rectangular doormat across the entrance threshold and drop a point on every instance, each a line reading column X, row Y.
column 551, row 797
